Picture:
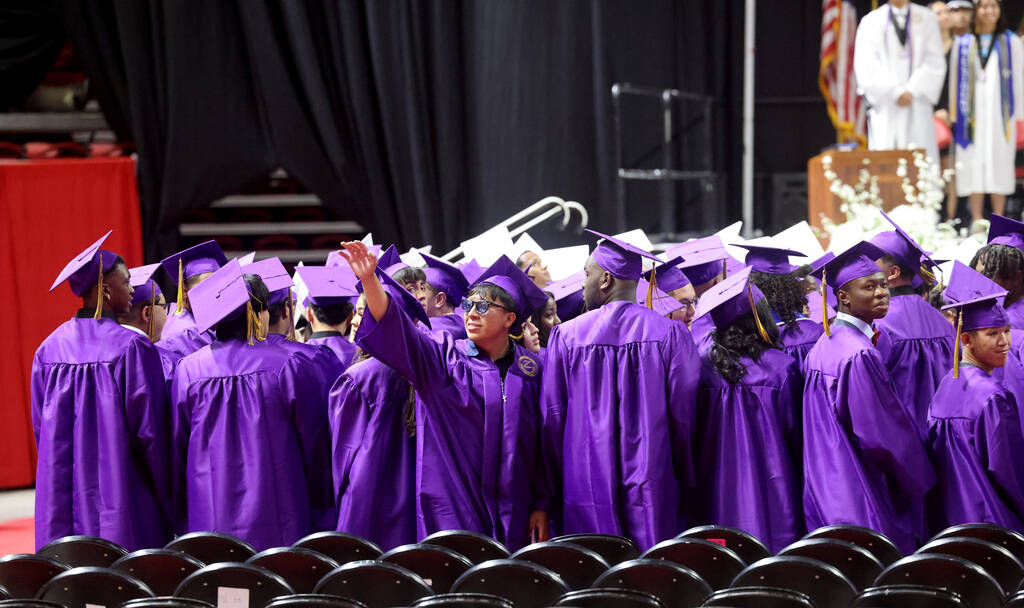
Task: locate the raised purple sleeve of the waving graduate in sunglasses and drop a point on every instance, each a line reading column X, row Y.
column 399, row 344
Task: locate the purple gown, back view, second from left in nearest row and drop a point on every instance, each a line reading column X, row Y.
column 253, row 422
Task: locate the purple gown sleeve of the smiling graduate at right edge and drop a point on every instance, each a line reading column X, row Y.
column 1000, row 446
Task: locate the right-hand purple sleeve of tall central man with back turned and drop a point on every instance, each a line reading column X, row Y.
column 684, row 380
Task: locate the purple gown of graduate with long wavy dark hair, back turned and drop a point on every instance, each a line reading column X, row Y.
column 749, row 436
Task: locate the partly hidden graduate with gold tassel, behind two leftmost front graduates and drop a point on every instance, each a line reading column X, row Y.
column 189, row 269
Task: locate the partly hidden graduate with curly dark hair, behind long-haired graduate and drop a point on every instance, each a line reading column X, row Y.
column 777, row 279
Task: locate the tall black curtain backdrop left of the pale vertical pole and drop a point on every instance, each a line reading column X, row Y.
column 428, row 121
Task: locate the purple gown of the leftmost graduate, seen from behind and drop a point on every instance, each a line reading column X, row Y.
column 107, row 466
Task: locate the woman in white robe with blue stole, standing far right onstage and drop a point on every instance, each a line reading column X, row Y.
column 987, row 96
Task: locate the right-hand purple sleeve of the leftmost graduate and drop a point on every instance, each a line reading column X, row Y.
column 149, row 418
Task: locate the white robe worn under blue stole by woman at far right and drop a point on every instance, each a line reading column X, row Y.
column 988, row 165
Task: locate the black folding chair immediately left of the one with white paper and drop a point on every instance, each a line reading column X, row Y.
column 90, row 585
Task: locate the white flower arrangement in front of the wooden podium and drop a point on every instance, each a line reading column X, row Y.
column 919, row 216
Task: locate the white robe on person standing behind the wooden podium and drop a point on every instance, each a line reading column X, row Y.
column 884, row 73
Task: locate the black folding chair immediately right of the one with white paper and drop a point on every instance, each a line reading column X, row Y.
column 378, row 585
